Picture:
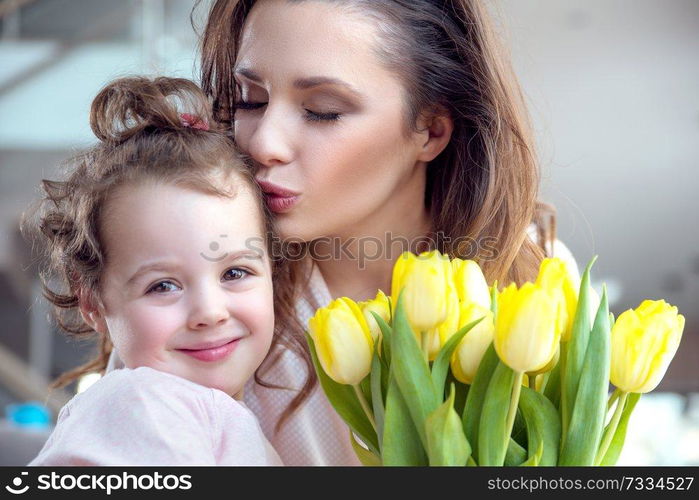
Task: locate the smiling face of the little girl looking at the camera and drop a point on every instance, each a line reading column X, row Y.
column 187, row 285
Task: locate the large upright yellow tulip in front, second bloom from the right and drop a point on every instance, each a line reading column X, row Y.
column 526, row 334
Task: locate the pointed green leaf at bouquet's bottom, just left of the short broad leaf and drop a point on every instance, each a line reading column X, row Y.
column 401, row 441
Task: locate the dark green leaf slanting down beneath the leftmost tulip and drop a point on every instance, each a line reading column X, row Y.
column 344, row 400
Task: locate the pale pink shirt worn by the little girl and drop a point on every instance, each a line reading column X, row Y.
column 147, row 417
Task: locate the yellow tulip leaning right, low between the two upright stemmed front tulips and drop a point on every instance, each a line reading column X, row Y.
column 469, row 353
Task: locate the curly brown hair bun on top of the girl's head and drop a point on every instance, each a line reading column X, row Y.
column 129, row 106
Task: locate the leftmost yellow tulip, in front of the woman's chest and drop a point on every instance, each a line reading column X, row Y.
column 343, row 341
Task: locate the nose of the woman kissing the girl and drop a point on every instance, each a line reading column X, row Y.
column 269, row 143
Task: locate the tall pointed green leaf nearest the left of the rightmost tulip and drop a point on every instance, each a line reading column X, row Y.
column 582, row 441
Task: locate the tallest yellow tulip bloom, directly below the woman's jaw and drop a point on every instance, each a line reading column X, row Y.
column 428, row 287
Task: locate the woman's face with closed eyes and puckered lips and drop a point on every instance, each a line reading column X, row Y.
column 322, row 118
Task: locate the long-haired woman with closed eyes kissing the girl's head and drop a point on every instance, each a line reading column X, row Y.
column 371, row 121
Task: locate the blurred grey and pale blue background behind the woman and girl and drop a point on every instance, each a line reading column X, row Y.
column 613, row 90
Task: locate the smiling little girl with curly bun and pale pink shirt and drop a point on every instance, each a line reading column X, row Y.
column 161, row 242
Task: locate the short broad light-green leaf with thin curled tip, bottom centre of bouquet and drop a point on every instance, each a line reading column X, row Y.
column 446, row 442
